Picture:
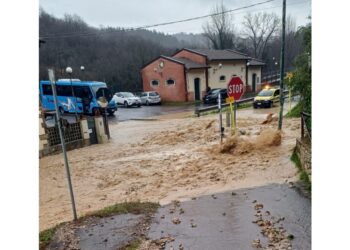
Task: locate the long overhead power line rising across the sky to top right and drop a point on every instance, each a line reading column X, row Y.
column 65, row 35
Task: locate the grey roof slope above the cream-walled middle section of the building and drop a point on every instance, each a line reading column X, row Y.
column 214, row 54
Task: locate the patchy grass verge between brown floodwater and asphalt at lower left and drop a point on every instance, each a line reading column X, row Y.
column 137, row 207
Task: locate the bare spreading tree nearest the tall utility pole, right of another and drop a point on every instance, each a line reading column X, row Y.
column 259, row 29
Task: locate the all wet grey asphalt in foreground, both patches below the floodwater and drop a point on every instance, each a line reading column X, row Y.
column 219, row 221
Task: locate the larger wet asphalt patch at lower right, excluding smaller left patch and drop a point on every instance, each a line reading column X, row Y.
column 224, row 221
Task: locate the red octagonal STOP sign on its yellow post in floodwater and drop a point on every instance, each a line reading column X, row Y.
column 235, row 90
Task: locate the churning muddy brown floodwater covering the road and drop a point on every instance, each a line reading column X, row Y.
column 166, row 160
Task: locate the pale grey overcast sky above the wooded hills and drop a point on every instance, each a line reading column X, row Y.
column 135, row 13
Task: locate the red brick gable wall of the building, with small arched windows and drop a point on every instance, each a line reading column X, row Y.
column 175, row 71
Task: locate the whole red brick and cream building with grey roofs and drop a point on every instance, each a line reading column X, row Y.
column 186, row 75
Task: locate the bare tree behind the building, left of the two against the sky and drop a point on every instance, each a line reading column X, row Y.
column 219, row 30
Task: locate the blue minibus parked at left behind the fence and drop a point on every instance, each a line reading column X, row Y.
column 86, row 97
